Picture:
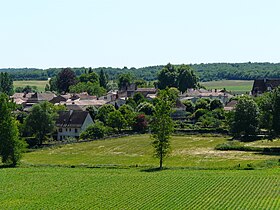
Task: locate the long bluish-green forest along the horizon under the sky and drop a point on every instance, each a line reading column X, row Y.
column 206, row 72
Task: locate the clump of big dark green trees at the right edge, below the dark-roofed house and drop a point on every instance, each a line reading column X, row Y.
column 252, row 115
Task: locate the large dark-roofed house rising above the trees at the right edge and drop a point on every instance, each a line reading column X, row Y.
column 264, row 85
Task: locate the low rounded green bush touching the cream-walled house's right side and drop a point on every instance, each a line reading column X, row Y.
column 94, row 131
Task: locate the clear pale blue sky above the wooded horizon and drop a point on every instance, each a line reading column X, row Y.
column 136, row 33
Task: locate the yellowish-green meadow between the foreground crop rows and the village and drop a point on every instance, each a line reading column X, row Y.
column 189, row 151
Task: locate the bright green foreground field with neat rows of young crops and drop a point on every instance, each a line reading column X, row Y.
column 103, row 188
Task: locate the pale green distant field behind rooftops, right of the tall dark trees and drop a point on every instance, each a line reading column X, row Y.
column 235, row 86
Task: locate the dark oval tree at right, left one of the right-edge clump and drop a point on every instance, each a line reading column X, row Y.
column 246, row 118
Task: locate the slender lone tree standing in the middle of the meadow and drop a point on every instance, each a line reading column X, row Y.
column 162, row 126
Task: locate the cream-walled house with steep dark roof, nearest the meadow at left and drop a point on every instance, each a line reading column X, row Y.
column 72, row 123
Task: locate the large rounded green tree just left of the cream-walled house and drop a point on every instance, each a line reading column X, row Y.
column 41, row 120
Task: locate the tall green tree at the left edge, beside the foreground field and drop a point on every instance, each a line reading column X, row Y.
column 11, row 147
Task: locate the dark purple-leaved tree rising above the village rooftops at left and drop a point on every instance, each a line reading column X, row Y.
column 65, row 79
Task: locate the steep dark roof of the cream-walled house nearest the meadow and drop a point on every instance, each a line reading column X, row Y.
column 71, row 118
